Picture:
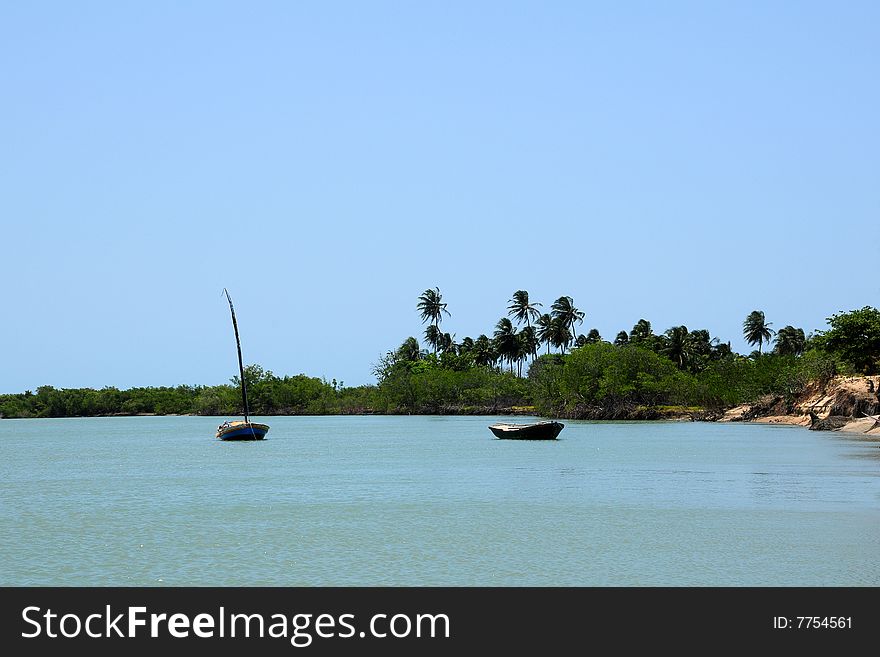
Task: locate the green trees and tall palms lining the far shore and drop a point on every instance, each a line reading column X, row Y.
column 534, row 362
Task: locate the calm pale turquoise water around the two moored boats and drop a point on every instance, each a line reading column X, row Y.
column 325, row 501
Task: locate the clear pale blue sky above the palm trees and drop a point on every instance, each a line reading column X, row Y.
column 685, row 162
